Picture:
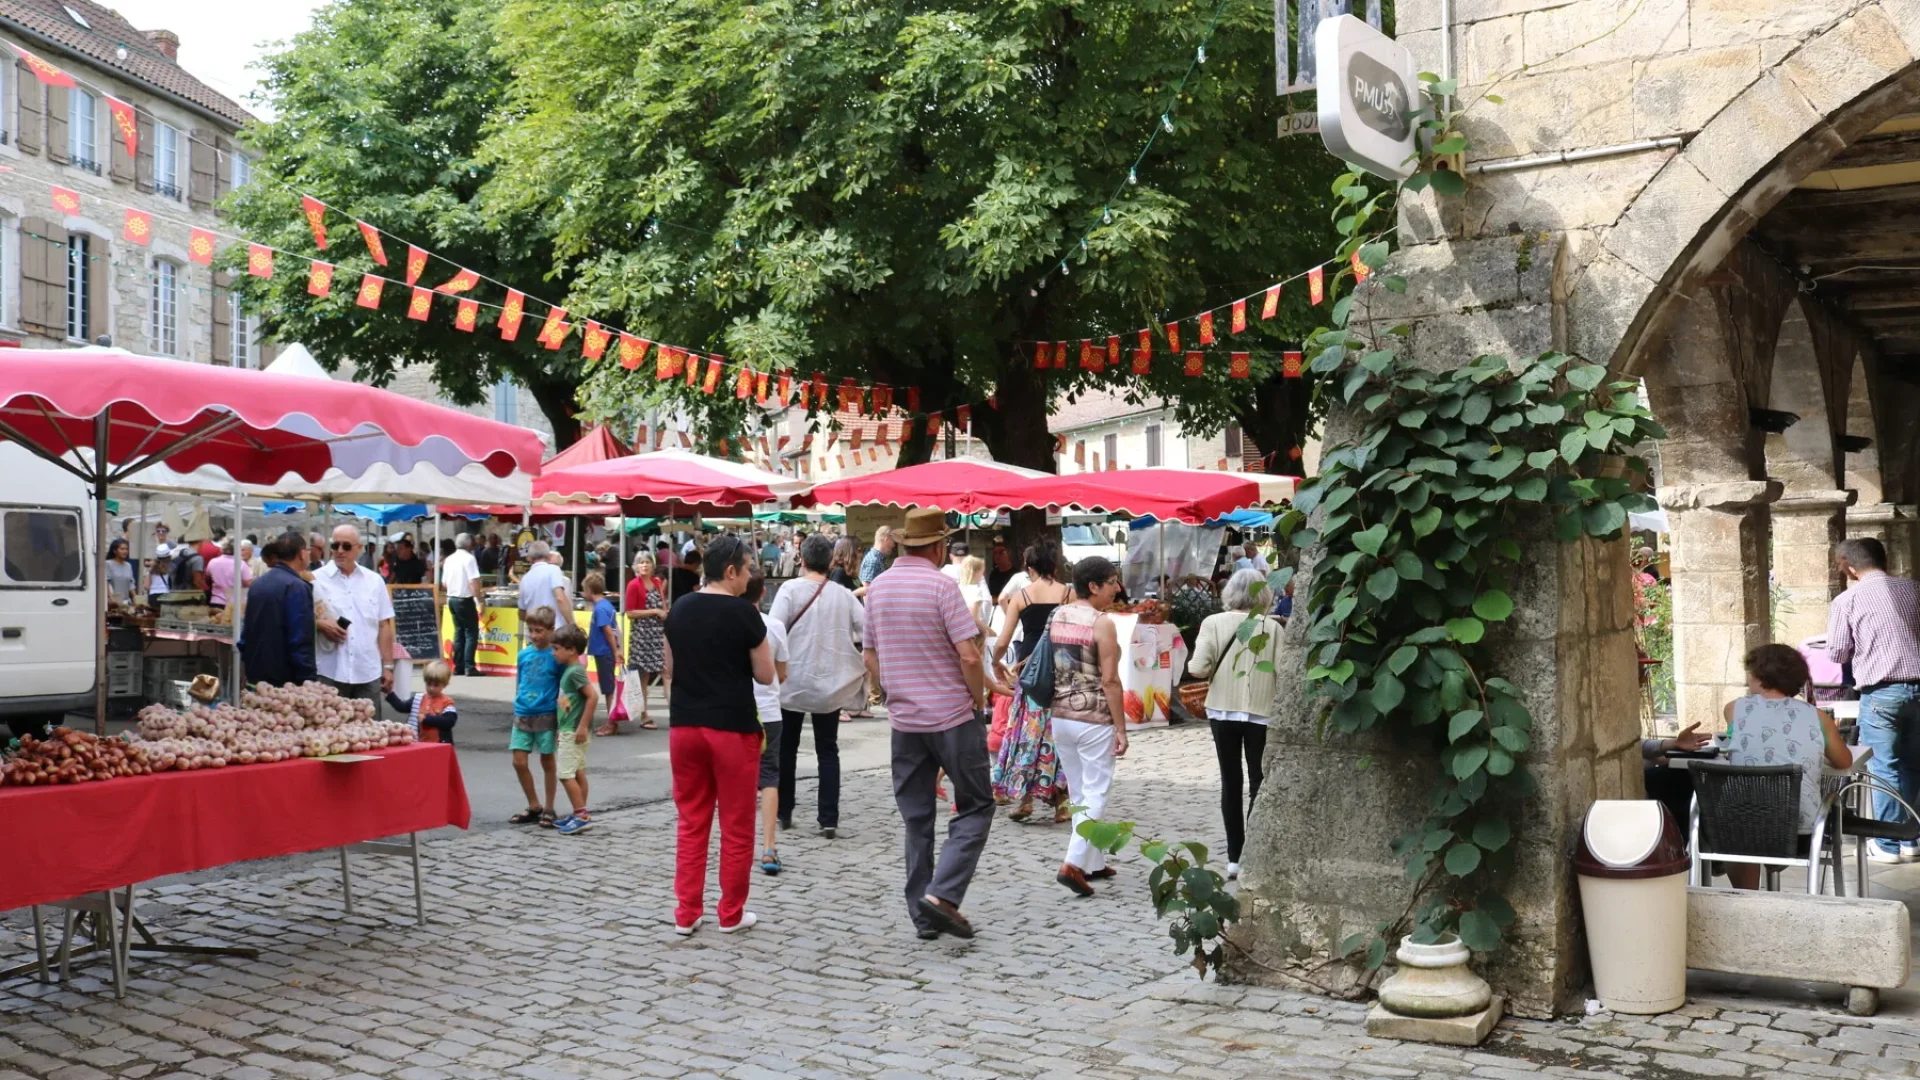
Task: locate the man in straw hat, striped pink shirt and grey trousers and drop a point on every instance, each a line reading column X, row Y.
column 923, row 649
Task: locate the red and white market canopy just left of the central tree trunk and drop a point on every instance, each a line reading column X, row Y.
column 669, row 483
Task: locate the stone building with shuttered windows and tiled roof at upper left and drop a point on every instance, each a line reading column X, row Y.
column 72, row 280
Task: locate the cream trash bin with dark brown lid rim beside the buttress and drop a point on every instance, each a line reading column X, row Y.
column 1633, row 871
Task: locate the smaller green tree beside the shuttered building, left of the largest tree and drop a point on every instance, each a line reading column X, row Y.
column 379, row 110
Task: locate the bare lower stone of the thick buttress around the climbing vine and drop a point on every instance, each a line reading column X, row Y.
column 1318, row 864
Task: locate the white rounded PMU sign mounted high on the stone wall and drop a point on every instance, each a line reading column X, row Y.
column 1368, row 97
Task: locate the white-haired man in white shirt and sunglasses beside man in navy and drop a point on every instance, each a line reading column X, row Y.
column 356, row 624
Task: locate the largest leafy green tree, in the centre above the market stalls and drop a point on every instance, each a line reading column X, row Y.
column 900, row 191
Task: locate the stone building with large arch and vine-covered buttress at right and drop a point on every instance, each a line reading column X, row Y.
column 1716, row 197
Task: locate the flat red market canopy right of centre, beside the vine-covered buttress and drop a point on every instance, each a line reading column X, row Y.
column 1170, row 495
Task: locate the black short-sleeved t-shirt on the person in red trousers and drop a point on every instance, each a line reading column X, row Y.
column 713, row 639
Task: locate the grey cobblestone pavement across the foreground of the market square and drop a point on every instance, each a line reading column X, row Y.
column 554, row 958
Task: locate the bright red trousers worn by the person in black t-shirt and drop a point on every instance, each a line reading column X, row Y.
column 713, row 770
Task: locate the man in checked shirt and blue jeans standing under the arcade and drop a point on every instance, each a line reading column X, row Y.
column 1877, row 627
